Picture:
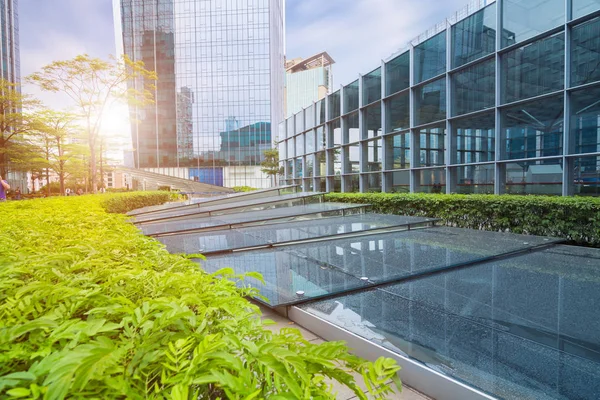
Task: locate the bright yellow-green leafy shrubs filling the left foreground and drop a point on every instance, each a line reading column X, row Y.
column 90, row 308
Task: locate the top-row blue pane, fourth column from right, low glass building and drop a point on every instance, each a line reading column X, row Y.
column 430, row 58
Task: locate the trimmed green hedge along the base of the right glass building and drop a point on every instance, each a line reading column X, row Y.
column 576, row 219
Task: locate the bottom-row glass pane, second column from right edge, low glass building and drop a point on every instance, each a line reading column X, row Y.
column 534, row 177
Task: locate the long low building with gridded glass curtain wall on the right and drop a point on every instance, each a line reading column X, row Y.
column 464, row 109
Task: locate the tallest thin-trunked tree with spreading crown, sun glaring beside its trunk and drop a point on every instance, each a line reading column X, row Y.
column 94, row 85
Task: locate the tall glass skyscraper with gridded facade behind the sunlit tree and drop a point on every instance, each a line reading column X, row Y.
column 220, row 67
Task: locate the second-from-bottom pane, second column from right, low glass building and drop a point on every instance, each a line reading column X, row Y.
column 533, row 129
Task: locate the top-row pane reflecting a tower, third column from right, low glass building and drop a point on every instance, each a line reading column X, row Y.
column 474, row 36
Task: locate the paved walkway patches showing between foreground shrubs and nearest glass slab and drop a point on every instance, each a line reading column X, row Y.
column 343, row 393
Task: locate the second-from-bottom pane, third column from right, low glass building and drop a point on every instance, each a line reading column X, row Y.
column 474, row 139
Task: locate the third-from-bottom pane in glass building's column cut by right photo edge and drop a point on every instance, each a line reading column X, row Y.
column 585, row 52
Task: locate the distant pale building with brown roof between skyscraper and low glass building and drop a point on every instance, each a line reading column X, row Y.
column 306, row 81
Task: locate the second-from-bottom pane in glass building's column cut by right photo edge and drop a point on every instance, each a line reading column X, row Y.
column 585, row 120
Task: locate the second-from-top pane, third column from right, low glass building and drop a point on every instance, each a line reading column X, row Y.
column 474, row 88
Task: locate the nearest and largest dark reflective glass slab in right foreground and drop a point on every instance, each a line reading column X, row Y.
column 521, row 328
